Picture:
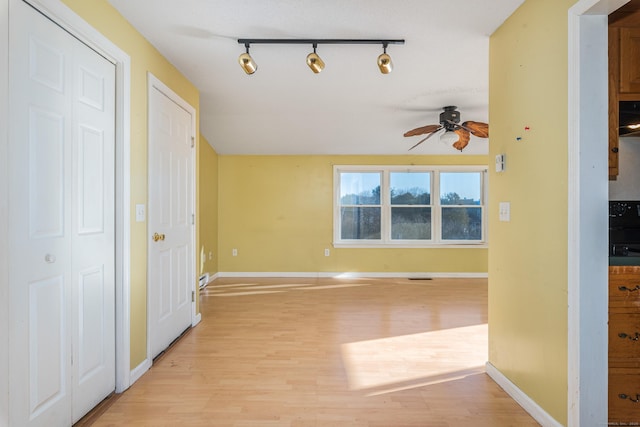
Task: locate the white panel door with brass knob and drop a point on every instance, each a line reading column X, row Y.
column 171, row 277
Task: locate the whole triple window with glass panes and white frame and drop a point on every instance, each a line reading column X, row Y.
column 393, row 206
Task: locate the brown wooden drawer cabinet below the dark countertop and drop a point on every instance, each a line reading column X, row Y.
column 624, row 345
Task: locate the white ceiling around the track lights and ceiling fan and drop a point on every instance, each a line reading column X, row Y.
column 349, row 108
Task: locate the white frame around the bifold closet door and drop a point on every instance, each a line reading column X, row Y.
column 74, row 24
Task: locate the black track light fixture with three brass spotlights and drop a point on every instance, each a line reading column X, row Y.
column 313, row 60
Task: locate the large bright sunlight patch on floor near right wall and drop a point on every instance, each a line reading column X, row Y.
column 415, row 360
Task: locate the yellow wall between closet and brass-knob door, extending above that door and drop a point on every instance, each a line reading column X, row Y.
column 144, row 57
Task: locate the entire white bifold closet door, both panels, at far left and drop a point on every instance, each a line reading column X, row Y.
column 61, row 213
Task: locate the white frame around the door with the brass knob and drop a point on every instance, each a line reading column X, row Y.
column 154, row 83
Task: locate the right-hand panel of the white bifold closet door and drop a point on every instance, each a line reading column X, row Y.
column 93, row 229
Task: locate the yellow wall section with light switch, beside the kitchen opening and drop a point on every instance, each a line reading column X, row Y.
column 528, row 255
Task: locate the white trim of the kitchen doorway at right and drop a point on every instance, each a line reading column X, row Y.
column 588, row 196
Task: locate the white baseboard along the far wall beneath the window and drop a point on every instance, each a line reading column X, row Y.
column 347, row 275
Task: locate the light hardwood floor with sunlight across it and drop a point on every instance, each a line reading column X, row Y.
column 326, row 352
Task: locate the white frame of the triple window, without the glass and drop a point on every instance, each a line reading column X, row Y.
column 385, row 240
